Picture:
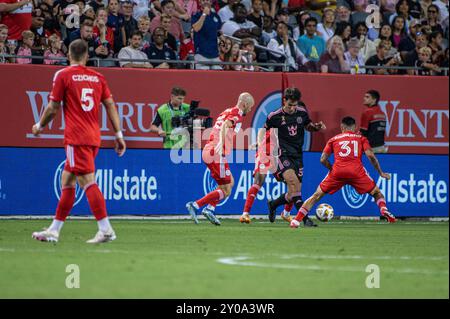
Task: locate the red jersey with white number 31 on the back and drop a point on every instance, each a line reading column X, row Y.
column 348, row 148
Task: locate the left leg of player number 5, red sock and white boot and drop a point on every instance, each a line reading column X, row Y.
column 65, row 204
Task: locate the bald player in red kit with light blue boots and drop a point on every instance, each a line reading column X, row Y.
column 214, row 155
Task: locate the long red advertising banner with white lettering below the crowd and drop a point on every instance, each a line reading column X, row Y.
column 416, row 107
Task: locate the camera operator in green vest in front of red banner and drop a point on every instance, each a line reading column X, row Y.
column 166, row 113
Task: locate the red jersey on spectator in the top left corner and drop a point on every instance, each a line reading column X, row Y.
column 18, row 20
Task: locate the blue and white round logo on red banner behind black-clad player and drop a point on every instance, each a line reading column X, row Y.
column 269, row 104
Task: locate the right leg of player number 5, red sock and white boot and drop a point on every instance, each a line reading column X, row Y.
column 97, row 205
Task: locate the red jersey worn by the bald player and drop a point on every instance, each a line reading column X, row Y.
column 234, row 115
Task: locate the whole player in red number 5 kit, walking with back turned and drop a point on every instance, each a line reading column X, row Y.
column 80, row 90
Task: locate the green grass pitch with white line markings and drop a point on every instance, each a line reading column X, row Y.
column 177, row 259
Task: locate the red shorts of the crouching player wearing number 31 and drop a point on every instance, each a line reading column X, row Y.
column 363, row 183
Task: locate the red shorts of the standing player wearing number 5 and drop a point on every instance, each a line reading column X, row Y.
column 80, row 159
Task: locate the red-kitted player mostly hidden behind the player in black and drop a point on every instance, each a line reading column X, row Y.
column 265, row 162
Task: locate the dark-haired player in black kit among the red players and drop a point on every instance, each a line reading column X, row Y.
column 290, row 121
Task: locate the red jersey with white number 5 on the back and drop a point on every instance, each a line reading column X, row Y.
column 81, row 90
